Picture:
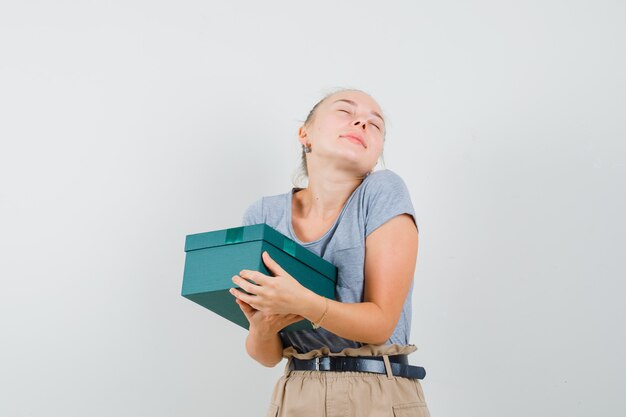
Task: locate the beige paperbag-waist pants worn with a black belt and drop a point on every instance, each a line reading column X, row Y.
column 347, row 394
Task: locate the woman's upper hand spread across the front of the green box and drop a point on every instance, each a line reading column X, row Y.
column 280, row 294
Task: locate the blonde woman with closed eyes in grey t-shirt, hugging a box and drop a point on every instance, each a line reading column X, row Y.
column 354, row 361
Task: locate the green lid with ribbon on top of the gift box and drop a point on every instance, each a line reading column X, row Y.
column 260, row 231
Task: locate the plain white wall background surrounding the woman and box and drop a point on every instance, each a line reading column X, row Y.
column 126, row 125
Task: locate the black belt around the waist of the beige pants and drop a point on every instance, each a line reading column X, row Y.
column 399, row 365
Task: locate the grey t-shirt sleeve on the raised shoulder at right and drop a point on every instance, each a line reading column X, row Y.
column 387, row 197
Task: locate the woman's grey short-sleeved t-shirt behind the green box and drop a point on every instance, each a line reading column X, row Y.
column 381, row 196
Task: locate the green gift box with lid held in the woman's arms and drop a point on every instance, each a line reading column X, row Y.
column 213, row 258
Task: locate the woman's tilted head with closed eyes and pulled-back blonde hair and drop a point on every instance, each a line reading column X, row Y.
column 347, row 130
